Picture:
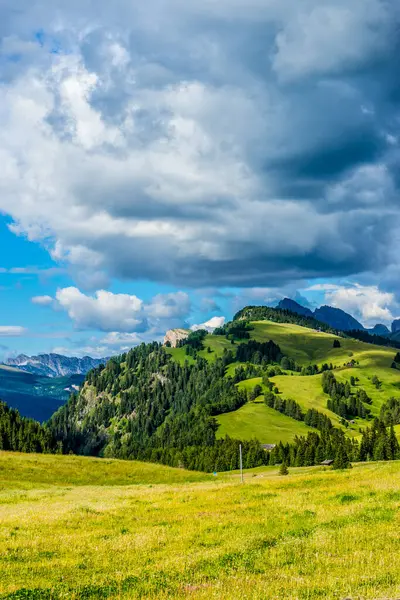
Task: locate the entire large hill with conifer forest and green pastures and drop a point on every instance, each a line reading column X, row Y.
column 248, row 380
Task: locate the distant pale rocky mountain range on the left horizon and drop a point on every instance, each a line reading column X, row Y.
column 54, row 365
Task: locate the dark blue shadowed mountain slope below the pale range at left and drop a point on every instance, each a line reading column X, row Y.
column 36, row 396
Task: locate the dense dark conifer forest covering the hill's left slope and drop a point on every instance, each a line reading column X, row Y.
column 145, row 405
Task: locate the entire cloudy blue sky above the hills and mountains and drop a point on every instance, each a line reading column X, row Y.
column 166, row 163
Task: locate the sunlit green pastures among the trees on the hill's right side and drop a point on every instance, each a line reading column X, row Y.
column 308, row 346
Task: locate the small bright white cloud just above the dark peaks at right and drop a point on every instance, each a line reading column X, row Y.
column 365, row 302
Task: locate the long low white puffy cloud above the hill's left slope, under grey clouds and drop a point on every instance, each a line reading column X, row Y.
column 109, row 312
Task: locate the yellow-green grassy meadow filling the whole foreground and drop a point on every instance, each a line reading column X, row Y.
column 314, row 534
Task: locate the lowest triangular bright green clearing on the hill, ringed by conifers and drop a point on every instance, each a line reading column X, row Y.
column 256, row 420
